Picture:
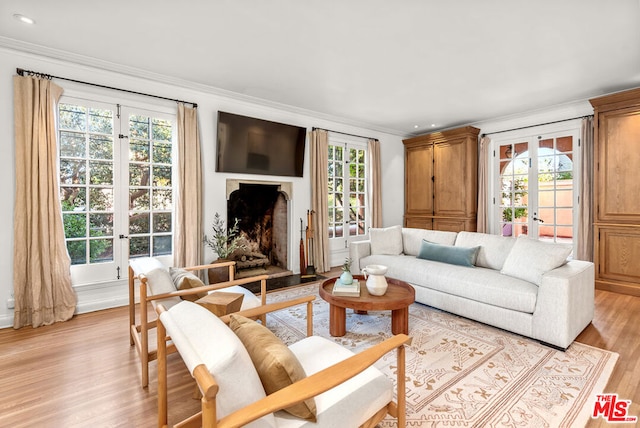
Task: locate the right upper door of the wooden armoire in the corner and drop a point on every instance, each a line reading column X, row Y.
column 450, row 162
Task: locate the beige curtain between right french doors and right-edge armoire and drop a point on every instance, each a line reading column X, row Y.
column 585, row 226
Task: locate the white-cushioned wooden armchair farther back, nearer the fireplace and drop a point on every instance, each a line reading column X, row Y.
column 156, row 285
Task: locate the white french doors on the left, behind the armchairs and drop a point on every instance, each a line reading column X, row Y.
column 116, row 186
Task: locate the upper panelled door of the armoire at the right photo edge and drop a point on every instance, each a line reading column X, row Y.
column 618, row 159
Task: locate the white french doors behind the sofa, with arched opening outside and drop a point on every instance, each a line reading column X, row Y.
column 535, row 190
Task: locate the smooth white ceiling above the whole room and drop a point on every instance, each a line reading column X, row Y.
column 382, row 64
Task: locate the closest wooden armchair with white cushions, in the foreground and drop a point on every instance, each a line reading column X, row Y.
column 347, row 389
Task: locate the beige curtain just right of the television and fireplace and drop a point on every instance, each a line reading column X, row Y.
column 319, row 198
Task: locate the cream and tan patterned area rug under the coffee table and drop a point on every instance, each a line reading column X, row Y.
column 466, row 374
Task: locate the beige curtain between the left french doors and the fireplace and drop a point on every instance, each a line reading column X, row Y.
column 188, row 228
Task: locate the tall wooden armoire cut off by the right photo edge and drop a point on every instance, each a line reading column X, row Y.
column 616, row 192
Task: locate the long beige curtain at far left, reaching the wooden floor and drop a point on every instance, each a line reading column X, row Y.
column 41, row 265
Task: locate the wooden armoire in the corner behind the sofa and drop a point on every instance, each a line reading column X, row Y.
column 441, row 184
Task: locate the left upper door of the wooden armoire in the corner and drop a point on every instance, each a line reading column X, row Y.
column 419, row 179
